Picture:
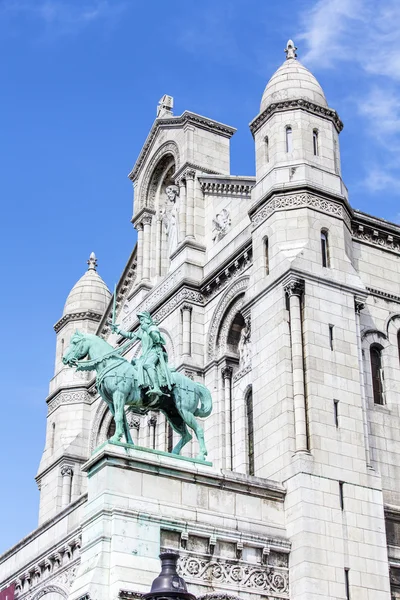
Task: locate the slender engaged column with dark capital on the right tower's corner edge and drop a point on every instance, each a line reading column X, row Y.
column 294, row 289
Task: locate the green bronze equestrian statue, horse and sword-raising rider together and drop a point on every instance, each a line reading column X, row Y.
column 147, row 383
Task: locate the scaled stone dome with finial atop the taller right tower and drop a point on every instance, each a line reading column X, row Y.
column 292, row 81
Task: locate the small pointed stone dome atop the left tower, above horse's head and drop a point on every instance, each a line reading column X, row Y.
column 90, row 293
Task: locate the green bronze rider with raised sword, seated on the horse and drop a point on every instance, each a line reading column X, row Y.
column 153, row 359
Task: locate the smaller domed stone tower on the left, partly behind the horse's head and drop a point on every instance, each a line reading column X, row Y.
column 68, row 422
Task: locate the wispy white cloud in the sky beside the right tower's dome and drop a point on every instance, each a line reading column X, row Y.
column 365, row 33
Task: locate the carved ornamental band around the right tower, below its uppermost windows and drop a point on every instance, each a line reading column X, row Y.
column 299, row 201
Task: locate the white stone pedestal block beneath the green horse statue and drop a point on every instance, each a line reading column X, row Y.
column 228, row 528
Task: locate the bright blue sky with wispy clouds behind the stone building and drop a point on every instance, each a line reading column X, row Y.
column 80, row 84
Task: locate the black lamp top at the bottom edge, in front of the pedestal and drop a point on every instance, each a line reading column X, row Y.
column 168, row 585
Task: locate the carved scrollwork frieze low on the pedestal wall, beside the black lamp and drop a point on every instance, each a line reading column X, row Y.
column 265, row 580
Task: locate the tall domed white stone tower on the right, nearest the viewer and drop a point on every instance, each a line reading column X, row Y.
column 304, row 296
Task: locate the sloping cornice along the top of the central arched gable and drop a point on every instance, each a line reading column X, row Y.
column 172, row 122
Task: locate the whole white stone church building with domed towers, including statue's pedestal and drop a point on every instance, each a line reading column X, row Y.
column 285, row 302
